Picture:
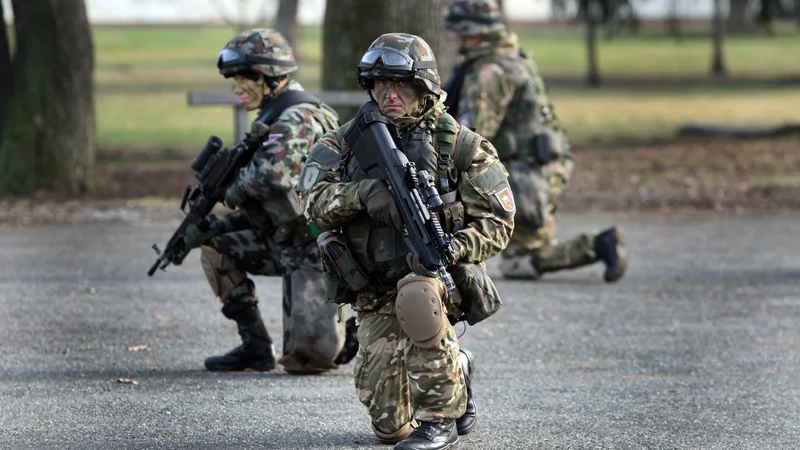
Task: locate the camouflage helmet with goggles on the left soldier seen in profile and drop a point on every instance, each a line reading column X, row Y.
column 262, row 50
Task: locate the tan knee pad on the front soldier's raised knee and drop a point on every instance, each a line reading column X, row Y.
column 420, row 310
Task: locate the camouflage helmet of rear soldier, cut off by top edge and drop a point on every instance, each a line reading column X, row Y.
column 474, row 17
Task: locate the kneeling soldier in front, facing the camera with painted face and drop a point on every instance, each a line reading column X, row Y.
column 418, row 396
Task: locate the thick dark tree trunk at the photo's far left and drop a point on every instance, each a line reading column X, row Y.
column 48, row 139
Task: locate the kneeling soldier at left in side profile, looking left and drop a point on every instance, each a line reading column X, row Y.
column 267, row 234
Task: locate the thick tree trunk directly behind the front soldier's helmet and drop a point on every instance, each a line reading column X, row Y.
column 352, row 25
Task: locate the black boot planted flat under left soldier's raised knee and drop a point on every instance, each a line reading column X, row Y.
column 256, row 351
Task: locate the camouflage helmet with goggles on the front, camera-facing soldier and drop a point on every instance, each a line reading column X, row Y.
column 400, row 56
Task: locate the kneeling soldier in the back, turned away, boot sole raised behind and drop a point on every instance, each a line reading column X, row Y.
column 498, row 91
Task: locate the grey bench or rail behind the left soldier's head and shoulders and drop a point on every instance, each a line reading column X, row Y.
column 241, row 118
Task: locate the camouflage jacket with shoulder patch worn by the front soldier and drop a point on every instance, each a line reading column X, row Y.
column 488, row 222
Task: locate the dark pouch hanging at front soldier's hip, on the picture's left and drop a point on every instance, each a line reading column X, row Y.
column 343, row 275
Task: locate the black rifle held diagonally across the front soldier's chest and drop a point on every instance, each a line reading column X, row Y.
column 375, row 143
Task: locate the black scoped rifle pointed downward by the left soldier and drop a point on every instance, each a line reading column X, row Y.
column 215, row 168
